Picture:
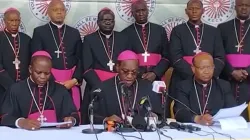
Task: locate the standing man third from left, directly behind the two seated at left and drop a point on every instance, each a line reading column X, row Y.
column 100, row 52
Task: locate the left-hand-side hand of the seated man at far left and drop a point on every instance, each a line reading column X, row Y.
column 29, row 124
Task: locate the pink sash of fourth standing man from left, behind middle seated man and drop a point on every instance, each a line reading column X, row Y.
column 152, row 60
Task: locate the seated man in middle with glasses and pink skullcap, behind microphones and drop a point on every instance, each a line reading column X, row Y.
column 121, row 95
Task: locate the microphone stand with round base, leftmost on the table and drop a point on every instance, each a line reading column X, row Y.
column 92, row 130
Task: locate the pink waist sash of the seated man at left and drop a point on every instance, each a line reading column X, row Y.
column 50, row 115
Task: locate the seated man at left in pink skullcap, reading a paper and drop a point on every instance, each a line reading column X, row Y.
column 37, row 99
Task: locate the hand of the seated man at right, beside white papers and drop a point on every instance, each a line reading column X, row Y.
column 204, row 120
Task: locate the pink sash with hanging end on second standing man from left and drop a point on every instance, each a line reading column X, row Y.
column 64, row 75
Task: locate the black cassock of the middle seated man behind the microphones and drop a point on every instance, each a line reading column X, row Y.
column 111, row 101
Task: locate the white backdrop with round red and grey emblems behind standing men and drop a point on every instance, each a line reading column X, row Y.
column 81, row 14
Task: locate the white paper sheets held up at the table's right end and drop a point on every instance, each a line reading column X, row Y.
column 230, row 119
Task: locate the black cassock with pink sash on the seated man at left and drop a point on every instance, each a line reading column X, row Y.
column 20, row 102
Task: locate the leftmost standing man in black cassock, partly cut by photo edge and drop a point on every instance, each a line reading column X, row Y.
column 14, row 46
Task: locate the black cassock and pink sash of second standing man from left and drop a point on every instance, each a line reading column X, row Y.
column 66, row 64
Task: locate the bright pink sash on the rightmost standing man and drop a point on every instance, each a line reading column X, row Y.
column 238, row 60
